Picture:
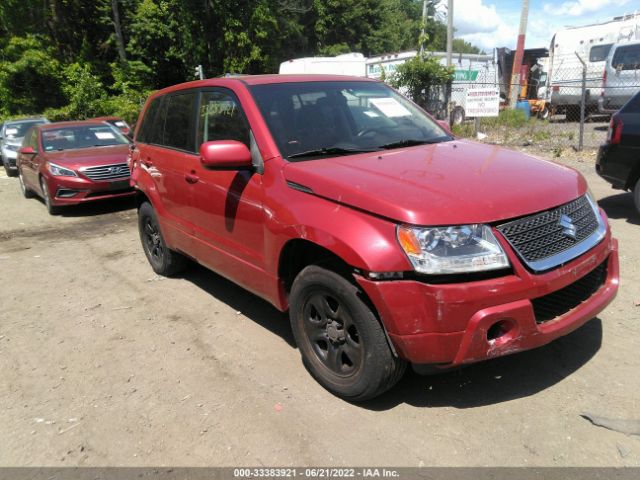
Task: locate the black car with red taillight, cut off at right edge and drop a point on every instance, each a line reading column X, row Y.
column 619, row 159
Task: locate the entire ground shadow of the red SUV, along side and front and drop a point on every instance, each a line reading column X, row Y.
column 490, row 382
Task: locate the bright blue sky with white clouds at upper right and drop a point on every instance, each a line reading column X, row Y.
column 495, row 23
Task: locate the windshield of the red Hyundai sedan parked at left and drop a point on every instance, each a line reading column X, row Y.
column 68, row 138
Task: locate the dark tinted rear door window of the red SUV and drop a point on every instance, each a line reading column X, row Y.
column 179, row 126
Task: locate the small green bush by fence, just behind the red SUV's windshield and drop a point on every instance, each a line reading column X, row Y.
column 419, row 74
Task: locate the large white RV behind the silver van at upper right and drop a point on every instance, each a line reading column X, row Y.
column 593, row 44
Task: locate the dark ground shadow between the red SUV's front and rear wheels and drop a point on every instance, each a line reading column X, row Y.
column 251, row 306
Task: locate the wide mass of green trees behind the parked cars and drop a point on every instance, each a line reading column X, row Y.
column 62, row 57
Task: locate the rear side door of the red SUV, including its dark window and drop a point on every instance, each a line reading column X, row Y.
column 166, row 153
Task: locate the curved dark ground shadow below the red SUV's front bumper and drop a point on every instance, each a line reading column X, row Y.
column 499, row 380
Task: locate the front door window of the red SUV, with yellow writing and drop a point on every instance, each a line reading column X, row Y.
column 222, row 118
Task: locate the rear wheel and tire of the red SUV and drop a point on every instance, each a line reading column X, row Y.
column 163, row 260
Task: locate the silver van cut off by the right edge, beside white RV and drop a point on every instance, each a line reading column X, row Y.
column 621, row 78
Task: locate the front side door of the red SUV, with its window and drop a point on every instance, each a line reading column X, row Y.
column 228, row 204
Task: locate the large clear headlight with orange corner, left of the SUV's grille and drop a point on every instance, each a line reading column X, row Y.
column 458, row 249
